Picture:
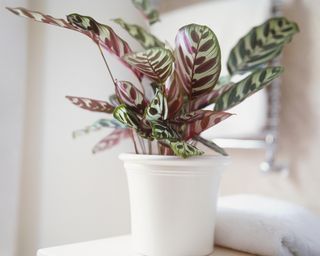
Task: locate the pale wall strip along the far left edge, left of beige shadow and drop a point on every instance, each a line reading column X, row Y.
column 12, row 87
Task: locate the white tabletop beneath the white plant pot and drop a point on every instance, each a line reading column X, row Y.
column 116, row 246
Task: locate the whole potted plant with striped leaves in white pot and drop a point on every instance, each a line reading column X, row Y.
column 180, row 94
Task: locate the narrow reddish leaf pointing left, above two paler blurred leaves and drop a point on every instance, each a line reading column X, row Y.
column 91, row 105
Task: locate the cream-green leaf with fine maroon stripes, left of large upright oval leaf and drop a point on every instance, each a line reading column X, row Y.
column 156, row 63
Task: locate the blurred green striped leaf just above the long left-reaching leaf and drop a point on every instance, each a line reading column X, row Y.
column 146, row 39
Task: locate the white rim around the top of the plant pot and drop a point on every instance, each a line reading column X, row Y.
column 205, row 160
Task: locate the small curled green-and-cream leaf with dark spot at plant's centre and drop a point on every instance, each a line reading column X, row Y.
column 158, row 108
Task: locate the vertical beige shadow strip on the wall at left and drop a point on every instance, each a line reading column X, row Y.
column 30, row 190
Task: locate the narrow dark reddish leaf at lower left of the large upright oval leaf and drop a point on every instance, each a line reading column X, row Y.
column 174, row 94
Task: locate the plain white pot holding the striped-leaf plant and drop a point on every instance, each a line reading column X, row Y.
column 173, row 203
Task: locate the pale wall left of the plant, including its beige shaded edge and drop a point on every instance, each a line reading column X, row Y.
column 68, row 194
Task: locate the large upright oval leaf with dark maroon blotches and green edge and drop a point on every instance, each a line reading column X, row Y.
column 198, row 59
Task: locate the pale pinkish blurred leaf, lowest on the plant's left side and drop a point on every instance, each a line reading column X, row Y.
column 112, row 140
